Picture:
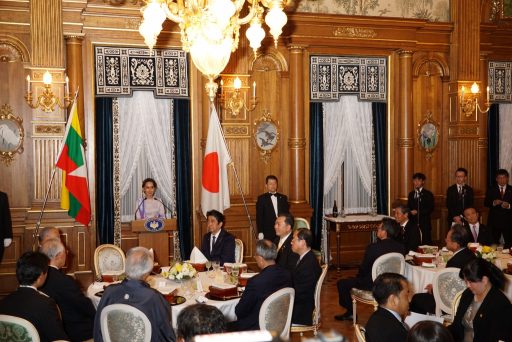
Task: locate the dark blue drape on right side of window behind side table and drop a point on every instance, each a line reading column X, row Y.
column 379, row 113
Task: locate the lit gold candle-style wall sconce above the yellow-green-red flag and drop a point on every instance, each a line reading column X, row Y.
column 47, row 101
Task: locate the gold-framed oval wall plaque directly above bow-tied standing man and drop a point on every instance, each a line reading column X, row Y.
column 266, row 135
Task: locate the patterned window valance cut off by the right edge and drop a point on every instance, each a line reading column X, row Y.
column 500, row 81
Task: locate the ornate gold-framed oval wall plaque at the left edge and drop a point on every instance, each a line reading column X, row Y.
column 11, row 134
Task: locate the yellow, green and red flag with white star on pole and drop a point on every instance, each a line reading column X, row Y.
column 71, row 160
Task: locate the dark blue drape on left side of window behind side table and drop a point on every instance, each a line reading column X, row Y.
column 316, row 166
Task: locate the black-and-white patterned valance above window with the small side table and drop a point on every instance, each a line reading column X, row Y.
column 332, row 76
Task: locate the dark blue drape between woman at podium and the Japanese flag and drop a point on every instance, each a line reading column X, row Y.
column 183, row 175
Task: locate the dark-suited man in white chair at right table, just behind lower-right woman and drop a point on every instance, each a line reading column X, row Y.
column 456, row 240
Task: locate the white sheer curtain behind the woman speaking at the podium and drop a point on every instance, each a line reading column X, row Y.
column 146, row 150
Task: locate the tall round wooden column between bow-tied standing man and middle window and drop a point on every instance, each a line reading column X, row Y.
column 297, row 139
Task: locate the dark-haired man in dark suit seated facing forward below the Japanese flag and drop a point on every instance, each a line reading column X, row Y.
column 218, row 244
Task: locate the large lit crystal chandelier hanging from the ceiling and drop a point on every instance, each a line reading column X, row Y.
column 210, row 28
